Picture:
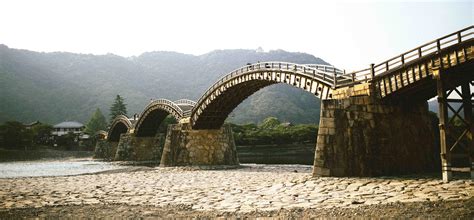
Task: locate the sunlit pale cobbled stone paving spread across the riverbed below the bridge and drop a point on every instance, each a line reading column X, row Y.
column 252, row 188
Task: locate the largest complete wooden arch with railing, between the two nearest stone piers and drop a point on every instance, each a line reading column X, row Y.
column 227, row 93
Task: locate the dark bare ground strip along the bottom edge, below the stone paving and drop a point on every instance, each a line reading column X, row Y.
column 463, row 209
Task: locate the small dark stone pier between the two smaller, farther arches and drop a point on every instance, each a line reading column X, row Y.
column 131, row 148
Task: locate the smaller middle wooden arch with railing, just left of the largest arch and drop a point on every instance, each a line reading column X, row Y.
column 153, row 114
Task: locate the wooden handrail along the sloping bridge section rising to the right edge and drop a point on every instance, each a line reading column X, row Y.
column 426, row 49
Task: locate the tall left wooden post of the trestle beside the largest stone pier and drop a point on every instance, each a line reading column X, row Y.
column 443, row 119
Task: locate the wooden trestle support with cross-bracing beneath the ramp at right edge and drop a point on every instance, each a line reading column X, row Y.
column 456, row 133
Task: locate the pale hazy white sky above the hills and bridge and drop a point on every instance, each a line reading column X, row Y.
column 346, row 34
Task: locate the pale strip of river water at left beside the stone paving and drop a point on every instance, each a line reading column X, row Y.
column 54, row 168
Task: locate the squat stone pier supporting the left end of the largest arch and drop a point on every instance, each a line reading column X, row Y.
column 185, row 146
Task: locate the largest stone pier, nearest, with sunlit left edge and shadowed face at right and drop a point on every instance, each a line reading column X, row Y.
column 360, row 137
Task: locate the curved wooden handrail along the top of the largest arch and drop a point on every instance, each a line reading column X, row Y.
column 326, row 77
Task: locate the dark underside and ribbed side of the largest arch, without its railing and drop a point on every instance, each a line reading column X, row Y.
column 212, row 111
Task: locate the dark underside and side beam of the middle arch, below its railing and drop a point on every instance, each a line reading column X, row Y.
column 151, row 119
